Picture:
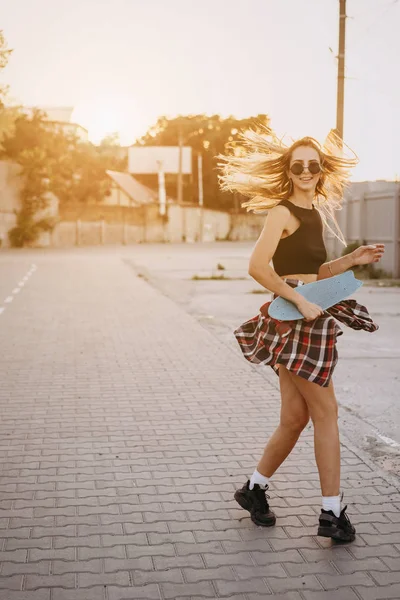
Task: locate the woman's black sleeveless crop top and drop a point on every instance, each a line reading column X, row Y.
column 303, row 251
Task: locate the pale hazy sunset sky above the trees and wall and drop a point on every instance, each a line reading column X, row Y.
column 124, row 63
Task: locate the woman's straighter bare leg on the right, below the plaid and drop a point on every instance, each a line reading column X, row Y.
column 323, row 409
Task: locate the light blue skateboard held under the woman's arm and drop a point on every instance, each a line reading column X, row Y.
column 325, row 293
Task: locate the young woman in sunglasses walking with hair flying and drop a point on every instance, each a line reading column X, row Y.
column 300, row 186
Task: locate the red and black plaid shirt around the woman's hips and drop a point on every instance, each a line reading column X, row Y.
column 307, row 349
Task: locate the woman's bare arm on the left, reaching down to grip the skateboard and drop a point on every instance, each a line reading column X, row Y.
column 260, row 269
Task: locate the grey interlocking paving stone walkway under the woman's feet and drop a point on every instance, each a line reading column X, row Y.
column 126, row 427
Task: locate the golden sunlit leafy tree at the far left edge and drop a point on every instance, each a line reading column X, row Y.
column 53, row 161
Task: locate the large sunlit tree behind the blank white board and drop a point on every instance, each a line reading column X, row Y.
column 207, row 135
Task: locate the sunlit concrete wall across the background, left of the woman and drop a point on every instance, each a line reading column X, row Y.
column 117, row 222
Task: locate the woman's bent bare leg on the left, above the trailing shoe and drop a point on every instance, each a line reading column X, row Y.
column 294, row 417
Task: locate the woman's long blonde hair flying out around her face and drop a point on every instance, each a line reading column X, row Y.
column 258, row 168
